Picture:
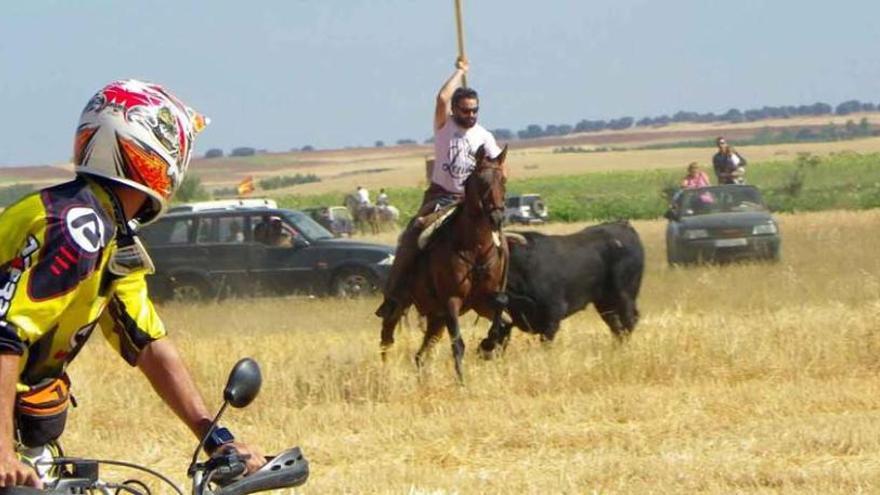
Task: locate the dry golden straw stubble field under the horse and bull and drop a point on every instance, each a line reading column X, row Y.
column 740, row 379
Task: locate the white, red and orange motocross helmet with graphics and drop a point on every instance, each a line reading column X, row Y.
column 137, row 134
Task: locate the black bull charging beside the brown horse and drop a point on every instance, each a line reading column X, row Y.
column 552, row 277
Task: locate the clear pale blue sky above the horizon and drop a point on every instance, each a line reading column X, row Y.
column 332, row 73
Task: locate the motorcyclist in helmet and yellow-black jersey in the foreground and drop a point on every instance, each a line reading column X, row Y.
column 71, row 260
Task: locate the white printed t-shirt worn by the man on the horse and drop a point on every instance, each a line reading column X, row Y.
column 454, row 150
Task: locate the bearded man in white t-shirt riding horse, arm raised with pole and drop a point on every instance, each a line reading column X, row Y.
column 457, row 137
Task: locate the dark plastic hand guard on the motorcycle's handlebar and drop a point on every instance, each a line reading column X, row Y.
column 286, row 470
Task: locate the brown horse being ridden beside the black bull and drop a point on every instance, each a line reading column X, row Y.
column 465, row 264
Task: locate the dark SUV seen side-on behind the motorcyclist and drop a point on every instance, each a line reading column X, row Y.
column 213, row 252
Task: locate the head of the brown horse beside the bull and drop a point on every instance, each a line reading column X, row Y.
column 485, row 188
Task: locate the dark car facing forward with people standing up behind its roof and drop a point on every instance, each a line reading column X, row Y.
column 720, row 223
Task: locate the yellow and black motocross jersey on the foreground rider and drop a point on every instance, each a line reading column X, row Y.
column 54, row 286
